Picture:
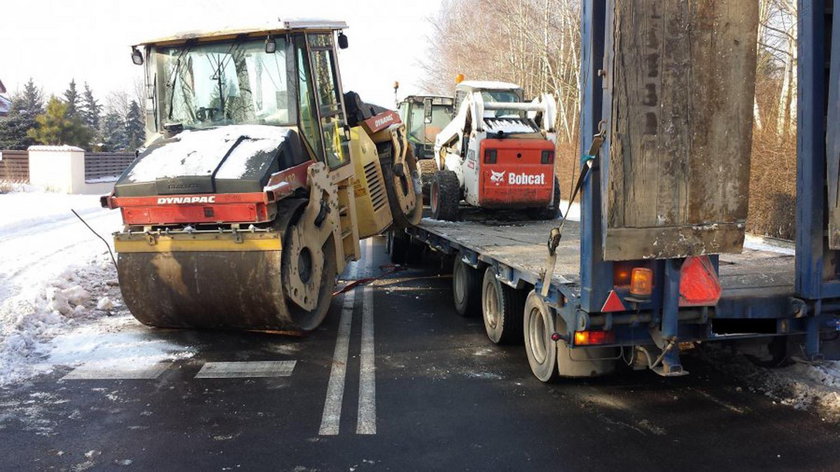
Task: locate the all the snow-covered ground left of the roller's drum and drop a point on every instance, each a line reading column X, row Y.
column 57, row 279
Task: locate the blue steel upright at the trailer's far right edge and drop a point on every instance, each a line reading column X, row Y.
column 815, row 283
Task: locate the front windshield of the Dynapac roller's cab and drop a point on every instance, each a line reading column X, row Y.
column 235, row 82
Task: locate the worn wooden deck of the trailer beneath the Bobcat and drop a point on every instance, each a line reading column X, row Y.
column 521, row 245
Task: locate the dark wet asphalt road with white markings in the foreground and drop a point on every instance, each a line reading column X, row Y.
column 396, row 380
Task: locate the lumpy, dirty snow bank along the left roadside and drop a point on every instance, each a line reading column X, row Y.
column 37, row 313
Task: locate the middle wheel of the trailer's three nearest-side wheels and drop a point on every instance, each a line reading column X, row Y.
column 502, row 308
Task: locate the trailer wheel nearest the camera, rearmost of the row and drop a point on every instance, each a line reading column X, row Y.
column 538, row 326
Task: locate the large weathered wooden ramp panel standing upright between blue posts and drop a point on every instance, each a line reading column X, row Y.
column 683, row 80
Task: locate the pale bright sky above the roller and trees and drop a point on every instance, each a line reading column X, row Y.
column 54, row 41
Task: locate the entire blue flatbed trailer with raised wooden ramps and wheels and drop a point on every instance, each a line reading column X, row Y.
column 587, row 315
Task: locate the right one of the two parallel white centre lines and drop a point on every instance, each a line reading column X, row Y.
column 367, row 373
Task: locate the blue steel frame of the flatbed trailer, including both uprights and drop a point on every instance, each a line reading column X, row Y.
column 810, row 306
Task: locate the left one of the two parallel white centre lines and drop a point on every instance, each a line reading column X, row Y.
column 335, row 388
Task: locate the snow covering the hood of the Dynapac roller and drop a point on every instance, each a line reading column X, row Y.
column 198, row 153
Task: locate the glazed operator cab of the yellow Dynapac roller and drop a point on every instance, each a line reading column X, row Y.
column 285, row 76
